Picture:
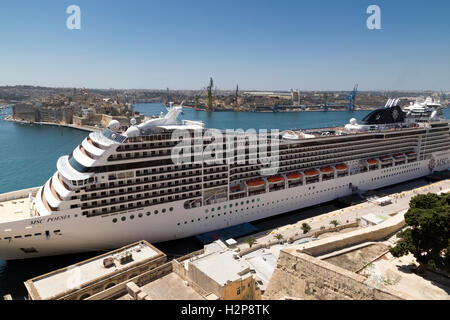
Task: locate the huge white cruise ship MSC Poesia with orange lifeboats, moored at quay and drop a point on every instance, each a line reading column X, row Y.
column 152, row 181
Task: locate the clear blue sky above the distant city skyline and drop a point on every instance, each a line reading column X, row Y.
column 311, row 45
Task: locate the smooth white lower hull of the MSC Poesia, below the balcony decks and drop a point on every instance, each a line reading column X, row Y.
column 77, row 233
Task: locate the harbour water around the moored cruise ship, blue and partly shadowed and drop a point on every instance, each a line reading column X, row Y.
column 28, row 156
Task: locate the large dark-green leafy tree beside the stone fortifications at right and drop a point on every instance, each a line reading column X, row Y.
column 428, row 234
